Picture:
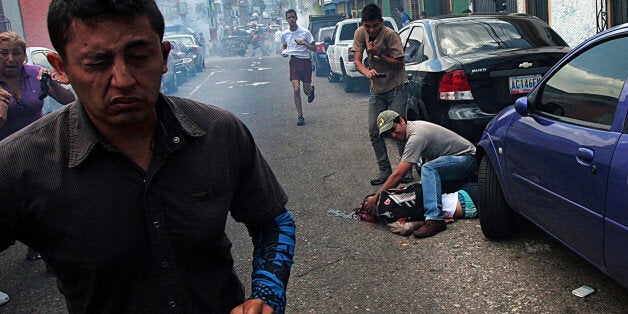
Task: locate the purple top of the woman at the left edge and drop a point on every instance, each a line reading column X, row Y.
column 27, row 109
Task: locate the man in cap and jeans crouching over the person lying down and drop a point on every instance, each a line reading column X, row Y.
column 448, row 156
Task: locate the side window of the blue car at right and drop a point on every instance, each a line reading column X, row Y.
column 586, row 89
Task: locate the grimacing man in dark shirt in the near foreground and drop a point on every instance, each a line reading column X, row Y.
column 126, row 192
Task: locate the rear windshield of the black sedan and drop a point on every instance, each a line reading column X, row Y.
column 489, row 35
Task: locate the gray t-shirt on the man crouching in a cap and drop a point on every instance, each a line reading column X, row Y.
column 430, row 141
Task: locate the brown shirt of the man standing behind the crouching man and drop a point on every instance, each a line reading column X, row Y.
column 390, row 45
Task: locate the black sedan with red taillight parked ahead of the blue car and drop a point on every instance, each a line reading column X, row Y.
column 464, row 69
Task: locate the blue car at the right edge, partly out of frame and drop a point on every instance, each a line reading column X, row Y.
column 559, row 157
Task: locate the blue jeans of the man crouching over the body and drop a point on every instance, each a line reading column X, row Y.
column 445, row 168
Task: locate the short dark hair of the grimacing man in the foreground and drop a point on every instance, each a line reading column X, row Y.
column 61, row 14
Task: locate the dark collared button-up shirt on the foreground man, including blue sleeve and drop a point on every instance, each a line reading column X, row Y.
column 120, row 239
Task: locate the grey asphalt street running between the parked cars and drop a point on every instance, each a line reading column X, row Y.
column 348, row 266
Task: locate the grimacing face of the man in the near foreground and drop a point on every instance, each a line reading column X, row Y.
column 115, row 68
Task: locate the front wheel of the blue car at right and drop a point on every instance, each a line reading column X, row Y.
column 497, row 219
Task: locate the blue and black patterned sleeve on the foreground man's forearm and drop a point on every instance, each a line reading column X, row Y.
column 272, row 260
